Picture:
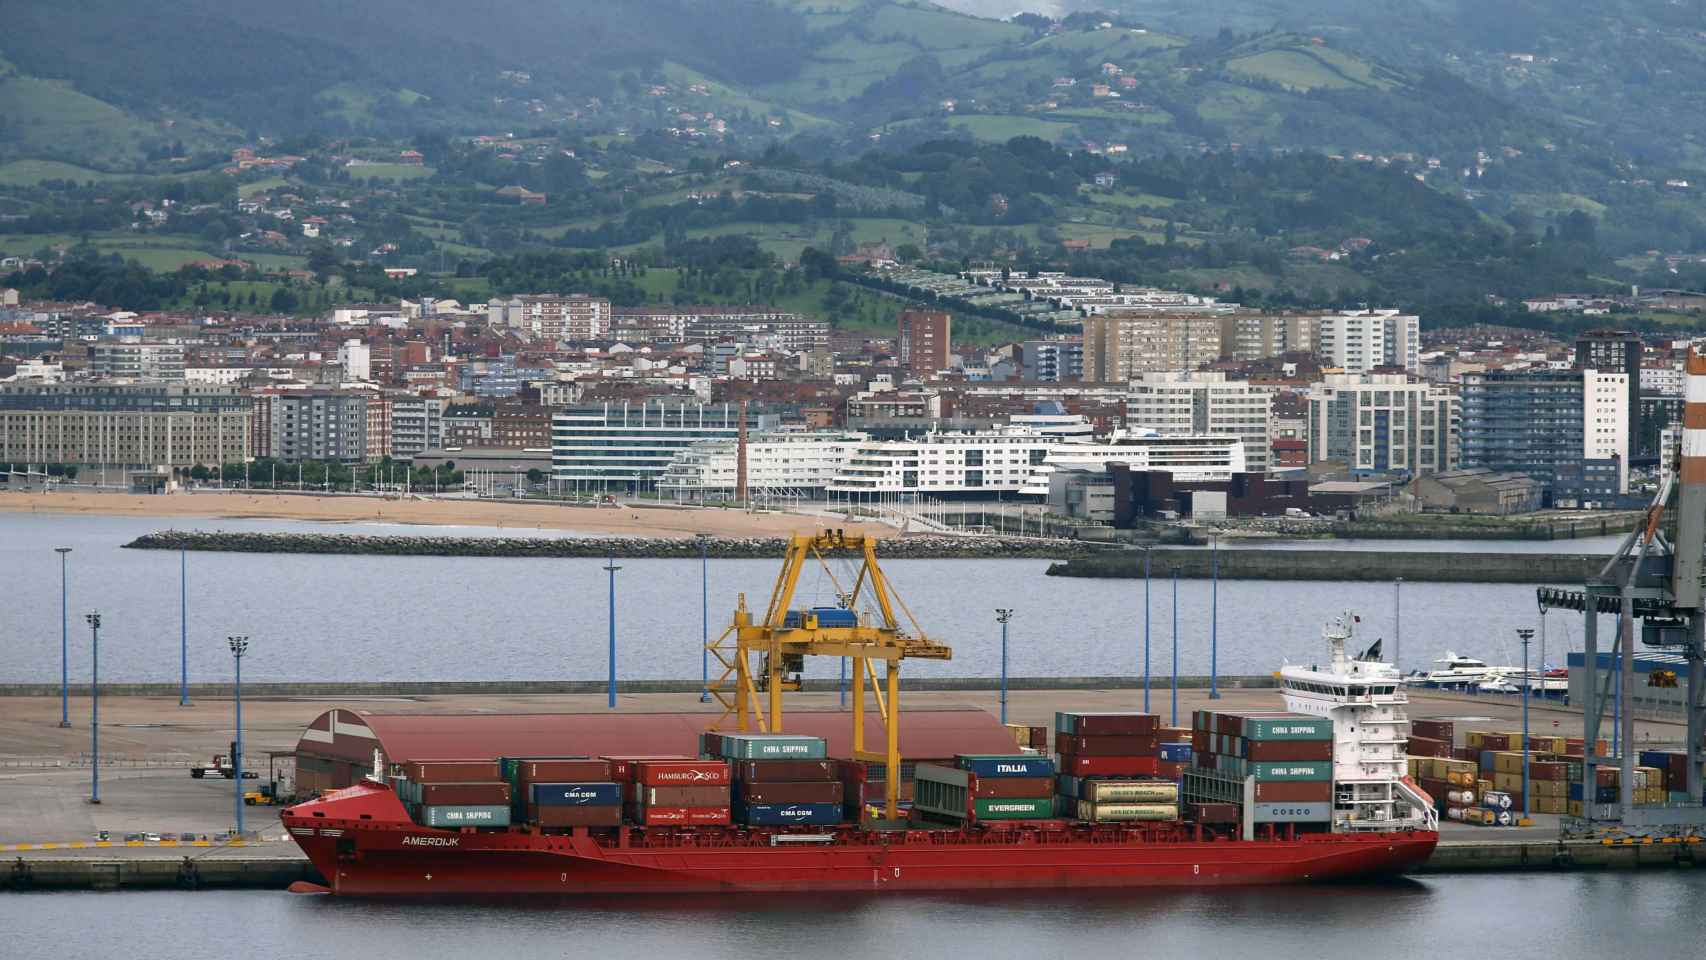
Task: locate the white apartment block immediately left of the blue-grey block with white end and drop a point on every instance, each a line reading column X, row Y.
column 1383, row 424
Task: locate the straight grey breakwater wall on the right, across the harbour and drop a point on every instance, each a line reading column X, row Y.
column 1338, row 565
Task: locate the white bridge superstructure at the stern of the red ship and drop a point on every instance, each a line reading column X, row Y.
column 1371, row 727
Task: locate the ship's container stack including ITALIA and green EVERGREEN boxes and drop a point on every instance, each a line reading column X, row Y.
column 985, row 787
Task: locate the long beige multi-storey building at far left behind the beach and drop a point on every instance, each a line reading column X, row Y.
column 124, row 425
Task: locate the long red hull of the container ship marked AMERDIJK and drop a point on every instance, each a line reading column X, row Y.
column 364, row 843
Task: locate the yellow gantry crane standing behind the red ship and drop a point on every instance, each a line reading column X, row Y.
column 763, row 659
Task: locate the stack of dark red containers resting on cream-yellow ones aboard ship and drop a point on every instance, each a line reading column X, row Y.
column 1111, row 766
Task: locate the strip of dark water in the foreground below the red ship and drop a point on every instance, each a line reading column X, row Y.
column 1560, row 917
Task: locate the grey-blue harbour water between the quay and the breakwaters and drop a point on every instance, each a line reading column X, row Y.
column 376, row 618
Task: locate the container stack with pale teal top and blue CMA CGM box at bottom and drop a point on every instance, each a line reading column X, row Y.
column 780, row 780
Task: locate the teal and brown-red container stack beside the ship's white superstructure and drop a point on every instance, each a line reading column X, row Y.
column 1287, row 755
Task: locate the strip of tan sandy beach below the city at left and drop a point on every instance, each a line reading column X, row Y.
column 624, row 521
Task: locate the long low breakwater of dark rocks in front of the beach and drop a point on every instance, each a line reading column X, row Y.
column 625, row 548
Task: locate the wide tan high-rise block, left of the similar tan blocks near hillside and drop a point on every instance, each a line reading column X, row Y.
column 1122, row 345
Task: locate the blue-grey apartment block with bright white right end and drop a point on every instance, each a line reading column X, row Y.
column 1546, row 424
